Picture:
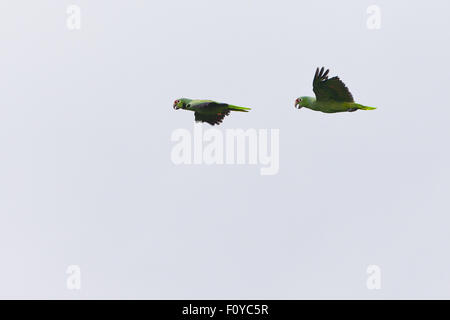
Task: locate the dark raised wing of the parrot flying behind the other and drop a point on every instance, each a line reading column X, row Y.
column 330, row 89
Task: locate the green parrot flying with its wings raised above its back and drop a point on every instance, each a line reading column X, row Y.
column 331, row 96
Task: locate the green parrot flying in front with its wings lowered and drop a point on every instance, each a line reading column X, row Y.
column 207, row 110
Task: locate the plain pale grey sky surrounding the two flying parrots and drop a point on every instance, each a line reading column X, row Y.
column 86, row 177
